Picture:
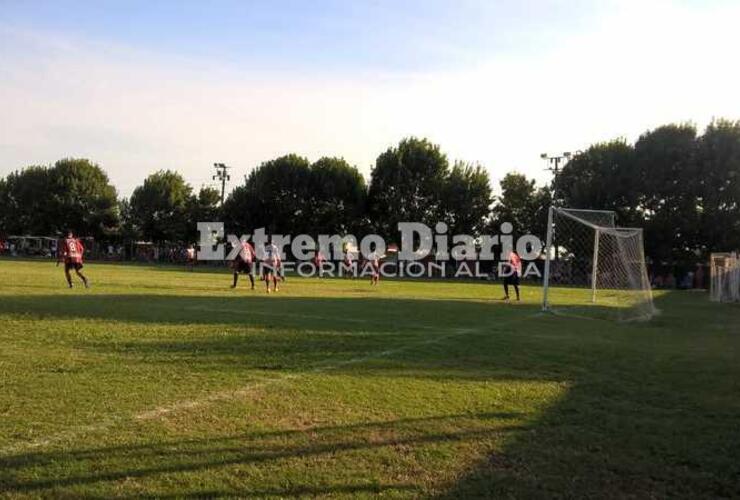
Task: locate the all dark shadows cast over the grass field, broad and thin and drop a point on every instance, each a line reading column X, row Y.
column 651, row 409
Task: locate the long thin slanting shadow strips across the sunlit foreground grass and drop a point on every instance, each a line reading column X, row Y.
column 111, row 464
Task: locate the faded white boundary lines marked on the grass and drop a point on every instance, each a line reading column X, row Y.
column 241, row 392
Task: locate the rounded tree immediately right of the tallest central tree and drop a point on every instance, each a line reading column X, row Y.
column 466, row 199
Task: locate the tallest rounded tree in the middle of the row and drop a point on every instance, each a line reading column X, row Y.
column 407, row 185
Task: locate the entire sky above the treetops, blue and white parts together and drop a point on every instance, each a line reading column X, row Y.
column 139, row 86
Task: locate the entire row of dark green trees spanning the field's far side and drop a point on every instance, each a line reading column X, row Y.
column 682, row 187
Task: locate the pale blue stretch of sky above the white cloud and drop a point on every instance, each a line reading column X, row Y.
column 322, row 35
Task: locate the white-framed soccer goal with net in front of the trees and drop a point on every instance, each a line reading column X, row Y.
column 594, row 268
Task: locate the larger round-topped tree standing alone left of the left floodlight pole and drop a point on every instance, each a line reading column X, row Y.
column 160, row 207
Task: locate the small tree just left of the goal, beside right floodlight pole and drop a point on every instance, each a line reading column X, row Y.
column 521, row 204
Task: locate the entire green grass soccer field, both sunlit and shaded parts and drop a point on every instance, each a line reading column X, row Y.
column 160, row 382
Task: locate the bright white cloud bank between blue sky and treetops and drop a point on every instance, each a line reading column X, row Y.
column 135, row 112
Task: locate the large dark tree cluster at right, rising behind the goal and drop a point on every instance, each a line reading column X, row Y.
column 681, row 187
